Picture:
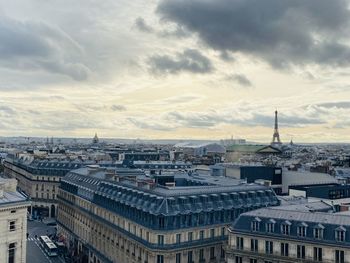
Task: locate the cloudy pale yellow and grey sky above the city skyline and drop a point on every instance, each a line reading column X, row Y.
column 175, row 69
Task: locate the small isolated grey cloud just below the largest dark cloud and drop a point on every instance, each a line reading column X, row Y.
column 190, row 60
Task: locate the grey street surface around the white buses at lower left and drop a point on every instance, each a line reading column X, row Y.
column 35, row 254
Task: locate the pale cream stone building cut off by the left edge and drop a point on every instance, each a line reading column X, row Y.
column 13, row 222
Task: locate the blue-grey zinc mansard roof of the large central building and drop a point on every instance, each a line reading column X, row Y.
column 162, row 200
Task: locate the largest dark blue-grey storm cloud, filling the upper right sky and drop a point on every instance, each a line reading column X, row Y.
column 283, row 33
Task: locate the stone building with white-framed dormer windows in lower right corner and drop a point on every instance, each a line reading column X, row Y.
column 284, row 235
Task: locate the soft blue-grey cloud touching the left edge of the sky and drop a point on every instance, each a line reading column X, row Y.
column 36, row 46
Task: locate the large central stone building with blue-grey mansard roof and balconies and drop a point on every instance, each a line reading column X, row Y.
column 104, row 217
